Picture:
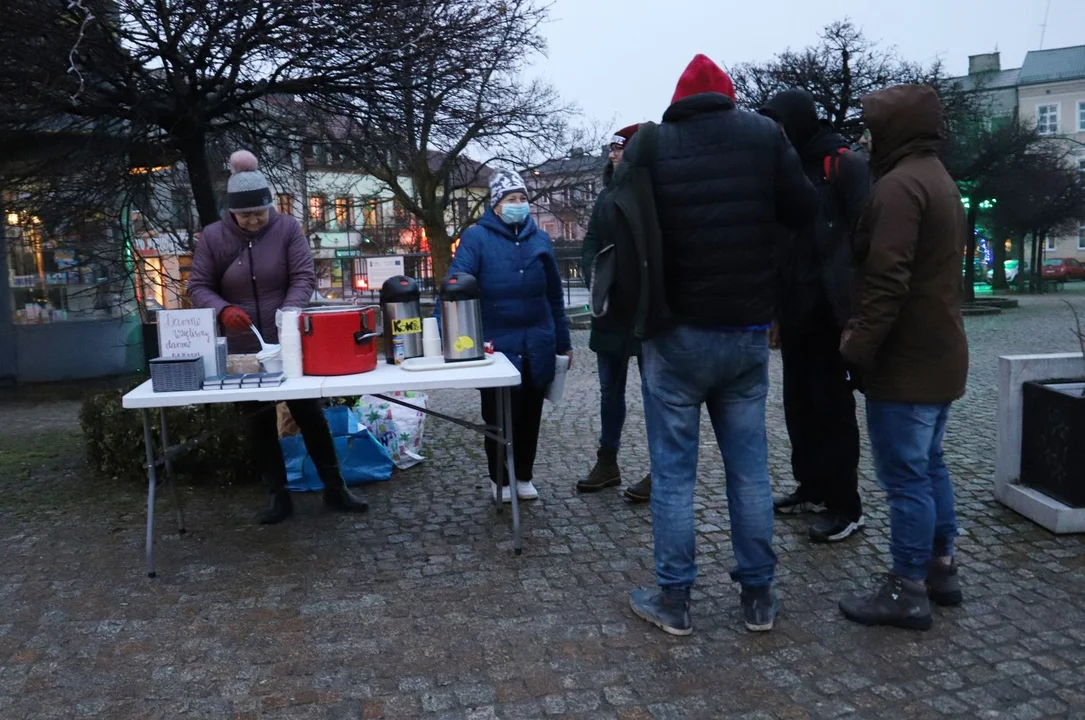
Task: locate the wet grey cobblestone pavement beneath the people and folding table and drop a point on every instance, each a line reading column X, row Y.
column 422, row 611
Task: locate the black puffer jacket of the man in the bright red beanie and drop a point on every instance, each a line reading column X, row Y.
column 727, row 186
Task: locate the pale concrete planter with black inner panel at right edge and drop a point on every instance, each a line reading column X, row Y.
column 1015, row 372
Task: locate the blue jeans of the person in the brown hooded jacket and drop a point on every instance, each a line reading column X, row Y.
column 907, row 441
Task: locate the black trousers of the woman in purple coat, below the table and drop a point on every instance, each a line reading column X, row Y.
column 262, row 429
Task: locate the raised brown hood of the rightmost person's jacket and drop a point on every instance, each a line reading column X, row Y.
column 905, row 120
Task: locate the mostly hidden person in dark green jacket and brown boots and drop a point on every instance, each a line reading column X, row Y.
column 614, row 345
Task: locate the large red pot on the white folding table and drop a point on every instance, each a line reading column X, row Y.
column 340, row 341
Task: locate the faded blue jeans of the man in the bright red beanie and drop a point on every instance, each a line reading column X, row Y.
column 729, row 372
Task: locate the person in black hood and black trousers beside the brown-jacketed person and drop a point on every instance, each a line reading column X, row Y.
column 814, row 307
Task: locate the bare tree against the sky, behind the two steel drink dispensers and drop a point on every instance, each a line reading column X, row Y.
column 419, row 133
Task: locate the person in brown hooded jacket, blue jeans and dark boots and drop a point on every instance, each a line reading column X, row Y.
column 908, row 350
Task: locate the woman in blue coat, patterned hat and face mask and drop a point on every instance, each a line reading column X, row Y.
column 524, row 314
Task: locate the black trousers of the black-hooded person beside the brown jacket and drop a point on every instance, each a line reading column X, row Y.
column 820, row 409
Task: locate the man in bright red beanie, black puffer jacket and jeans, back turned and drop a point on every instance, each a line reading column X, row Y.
column 727, row 185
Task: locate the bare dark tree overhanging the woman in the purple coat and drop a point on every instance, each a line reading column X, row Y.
column 185, row 72
